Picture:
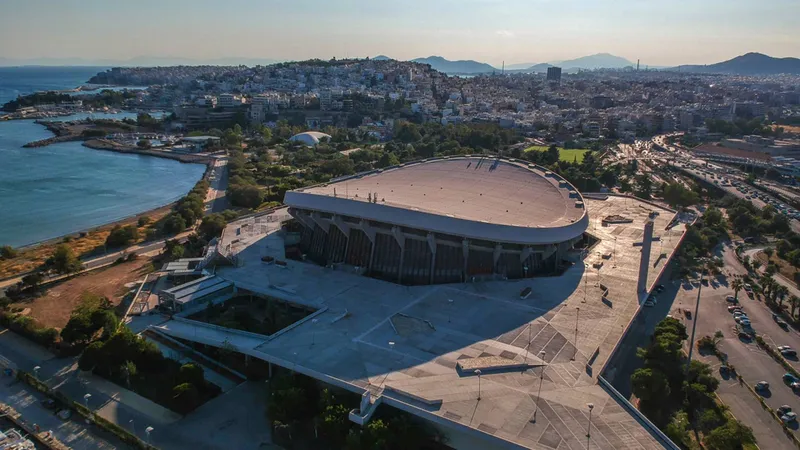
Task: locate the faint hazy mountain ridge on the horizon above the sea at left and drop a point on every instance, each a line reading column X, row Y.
column 142, row 61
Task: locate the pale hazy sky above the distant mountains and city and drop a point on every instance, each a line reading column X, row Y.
column 514, row 31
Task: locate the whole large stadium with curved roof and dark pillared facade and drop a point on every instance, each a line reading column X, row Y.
column 442, row 220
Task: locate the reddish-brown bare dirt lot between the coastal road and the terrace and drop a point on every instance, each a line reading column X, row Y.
column 54, row 307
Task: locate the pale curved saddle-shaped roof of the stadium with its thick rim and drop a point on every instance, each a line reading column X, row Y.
column 502, row 200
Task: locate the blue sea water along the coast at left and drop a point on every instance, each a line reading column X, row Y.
column 61, row 189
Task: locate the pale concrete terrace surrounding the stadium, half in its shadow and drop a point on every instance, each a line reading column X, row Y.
column 434, row 328
